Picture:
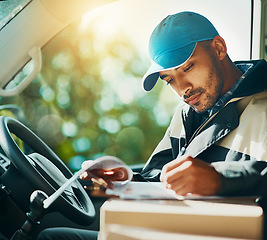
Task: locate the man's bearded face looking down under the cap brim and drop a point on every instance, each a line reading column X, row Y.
column 199, row 81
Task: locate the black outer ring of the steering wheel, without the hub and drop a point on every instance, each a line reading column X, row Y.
column 84, row 215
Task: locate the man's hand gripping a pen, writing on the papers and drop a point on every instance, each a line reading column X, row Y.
column 187, row 175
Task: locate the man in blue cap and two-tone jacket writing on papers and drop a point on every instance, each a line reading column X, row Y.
column 216, row 141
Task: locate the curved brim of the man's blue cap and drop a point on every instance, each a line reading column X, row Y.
column 166, row 61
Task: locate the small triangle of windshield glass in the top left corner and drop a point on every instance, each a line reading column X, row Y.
column 9, row 9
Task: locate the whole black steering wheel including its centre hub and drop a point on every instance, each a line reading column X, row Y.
column 45, row 171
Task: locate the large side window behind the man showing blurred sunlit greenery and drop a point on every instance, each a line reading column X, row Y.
column 88, row 100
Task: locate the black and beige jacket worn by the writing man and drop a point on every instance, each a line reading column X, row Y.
column 233, row 140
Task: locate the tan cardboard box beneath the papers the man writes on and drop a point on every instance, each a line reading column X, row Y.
column 187, row 217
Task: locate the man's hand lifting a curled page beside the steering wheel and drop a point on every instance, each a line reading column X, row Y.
column 115, row 174
